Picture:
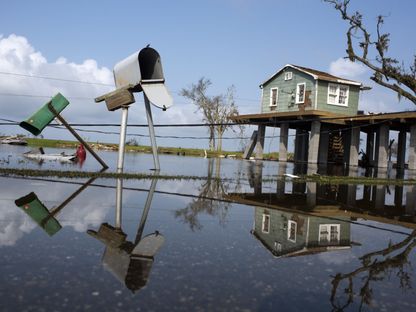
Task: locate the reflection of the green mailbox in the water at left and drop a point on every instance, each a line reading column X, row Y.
column 32, row 206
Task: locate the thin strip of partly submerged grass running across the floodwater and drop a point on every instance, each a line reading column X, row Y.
column 333, row 180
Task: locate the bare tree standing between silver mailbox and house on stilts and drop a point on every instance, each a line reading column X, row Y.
column 216, row 110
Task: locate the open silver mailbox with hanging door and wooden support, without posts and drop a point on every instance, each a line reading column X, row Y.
column 141, row 71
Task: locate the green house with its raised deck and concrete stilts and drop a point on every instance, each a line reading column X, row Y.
column 323, row 111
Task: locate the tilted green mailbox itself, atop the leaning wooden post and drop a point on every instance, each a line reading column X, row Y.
column 39, row 120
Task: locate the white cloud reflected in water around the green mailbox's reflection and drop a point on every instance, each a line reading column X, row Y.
column 80, row 214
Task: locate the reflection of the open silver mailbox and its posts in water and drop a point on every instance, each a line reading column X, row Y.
column 129, row 261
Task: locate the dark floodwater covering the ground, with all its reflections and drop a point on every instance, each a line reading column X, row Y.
column 243, row 243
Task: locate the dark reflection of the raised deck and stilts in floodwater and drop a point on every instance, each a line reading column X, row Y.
column 395, row 204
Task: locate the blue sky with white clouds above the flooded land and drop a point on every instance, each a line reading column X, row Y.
column 230, row 42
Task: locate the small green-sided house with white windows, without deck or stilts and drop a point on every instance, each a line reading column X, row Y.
column 295, row 88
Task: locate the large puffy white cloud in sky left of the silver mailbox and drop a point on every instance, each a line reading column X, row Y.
column 17, row 56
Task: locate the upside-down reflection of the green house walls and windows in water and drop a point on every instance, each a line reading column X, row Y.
column 292, row 233
